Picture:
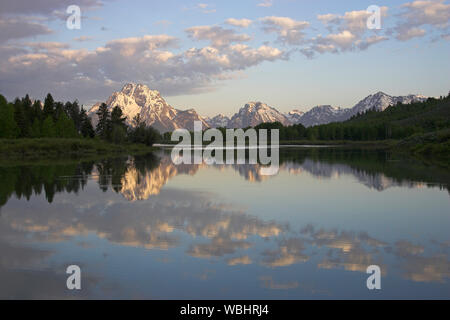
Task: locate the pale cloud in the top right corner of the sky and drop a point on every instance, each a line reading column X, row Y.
column 421, row 13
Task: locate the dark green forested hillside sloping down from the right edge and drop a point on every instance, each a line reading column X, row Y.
column 395, row 122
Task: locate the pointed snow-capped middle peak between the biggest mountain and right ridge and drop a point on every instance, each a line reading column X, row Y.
column 254, row 113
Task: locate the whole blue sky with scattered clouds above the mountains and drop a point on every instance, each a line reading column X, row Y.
column 215, row 56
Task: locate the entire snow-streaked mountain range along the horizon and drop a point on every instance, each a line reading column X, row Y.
column 155, row 111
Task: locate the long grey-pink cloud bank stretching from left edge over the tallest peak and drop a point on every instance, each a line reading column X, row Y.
column 152, row 59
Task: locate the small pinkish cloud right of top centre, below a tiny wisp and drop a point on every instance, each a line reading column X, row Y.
column 289, row 31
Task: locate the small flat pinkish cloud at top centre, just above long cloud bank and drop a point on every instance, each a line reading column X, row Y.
column 218, row 36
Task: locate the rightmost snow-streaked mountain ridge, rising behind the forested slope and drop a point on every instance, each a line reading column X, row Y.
column 378, row 101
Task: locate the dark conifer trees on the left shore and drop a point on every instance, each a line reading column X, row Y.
column 25, row 118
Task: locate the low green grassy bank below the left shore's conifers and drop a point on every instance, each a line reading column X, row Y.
column 50, row 148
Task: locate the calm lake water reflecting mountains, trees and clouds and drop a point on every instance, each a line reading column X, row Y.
column 144, row 228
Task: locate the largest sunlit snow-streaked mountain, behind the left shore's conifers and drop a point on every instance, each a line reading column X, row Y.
column 154, row 110
